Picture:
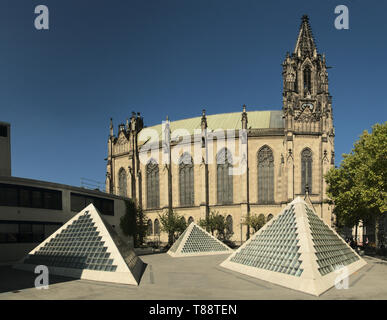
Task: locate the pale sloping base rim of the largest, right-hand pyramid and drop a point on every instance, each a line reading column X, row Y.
column 314, row 287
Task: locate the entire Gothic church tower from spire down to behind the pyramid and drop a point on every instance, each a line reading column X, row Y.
column 307, row 111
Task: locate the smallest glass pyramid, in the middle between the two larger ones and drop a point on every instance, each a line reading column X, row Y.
column 195, row 241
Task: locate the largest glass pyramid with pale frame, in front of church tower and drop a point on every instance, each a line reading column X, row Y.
column 296, row 249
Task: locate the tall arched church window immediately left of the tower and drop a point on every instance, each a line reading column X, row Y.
column 265, row 175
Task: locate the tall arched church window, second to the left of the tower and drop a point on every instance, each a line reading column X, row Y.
column 224, row 177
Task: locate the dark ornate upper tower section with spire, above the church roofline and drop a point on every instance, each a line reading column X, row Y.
column 307, row 104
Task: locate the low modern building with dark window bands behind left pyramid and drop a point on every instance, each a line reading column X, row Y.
column 31, row 210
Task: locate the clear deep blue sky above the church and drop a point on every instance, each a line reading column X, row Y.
column 102, row 59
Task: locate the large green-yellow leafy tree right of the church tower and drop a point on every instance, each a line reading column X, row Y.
column 358, row 188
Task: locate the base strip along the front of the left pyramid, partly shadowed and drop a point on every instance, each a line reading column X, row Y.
column 84, row 274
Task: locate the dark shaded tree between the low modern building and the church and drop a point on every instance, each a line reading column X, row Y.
column 134, row 222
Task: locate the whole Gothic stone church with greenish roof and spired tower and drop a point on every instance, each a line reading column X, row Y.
column 278, row 155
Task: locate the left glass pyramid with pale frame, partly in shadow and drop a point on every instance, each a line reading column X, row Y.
column 86, row 247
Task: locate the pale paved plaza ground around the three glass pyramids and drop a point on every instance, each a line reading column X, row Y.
column 188, row 278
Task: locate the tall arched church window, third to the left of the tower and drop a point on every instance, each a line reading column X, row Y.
column 186, row 180
